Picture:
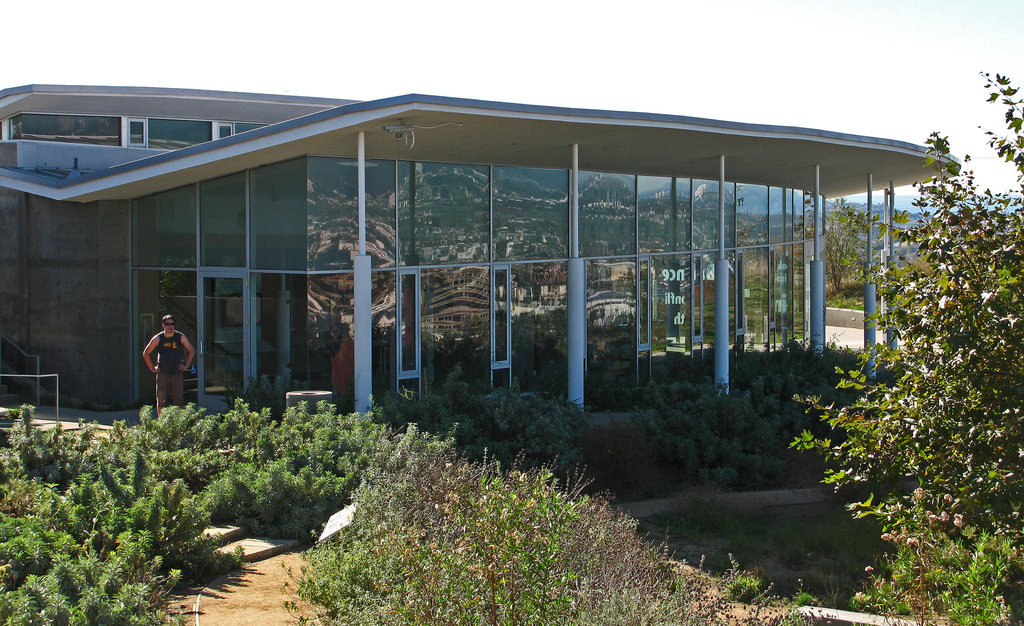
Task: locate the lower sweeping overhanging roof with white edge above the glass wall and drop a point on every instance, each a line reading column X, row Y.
column 476, row 132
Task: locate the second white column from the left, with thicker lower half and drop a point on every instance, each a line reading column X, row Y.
column 577, row 293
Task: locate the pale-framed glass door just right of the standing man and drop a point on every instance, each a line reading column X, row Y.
column 224, row 348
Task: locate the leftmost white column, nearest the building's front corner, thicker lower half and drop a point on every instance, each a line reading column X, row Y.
column 363, row 316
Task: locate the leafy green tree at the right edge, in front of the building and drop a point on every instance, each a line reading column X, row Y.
column 952, row 420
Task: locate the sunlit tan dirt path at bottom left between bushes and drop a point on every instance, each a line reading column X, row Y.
column 253, row 596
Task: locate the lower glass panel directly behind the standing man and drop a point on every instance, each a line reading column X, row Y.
column 161, row 293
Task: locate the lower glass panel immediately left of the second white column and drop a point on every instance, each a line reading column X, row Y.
column 540, row 327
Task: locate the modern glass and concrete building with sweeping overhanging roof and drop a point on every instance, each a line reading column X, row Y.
column 371, row 246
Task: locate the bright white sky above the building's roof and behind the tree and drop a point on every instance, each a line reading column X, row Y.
column 894, row 69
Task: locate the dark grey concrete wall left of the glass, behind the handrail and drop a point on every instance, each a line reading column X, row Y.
column 66, row 291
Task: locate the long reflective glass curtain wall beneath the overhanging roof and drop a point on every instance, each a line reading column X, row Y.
column 648, row 295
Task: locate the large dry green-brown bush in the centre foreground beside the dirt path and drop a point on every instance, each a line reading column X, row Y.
column 439, row 539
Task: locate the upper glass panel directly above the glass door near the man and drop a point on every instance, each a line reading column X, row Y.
column 223, row 222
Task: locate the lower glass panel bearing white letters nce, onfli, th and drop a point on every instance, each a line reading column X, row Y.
column 670, row 313
